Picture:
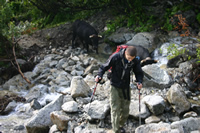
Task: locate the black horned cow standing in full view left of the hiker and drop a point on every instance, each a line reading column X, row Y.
column 86, row 33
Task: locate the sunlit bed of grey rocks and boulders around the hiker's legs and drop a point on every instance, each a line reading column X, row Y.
column 57, row 100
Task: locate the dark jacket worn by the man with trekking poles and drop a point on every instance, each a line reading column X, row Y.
column 117, row 78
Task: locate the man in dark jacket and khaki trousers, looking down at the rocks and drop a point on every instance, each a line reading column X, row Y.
column 121, row 63
